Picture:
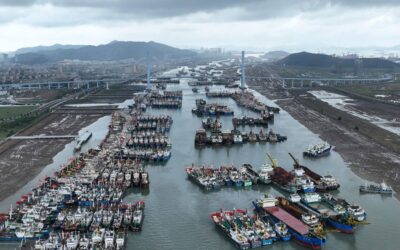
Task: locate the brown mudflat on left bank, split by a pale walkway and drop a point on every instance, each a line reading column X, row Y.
column 21, row 160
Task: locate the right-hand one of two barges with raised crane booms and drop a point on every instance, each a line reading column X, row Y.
column 323, row 183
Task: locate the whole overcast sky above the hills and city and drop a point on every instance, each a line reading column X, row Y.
column 287, row 24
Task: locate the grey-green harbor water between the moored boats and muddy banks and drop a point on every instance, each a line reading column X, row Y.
column 177, row 214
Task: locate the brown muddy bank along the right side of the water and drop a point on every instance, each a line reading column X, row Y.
column 364, row 156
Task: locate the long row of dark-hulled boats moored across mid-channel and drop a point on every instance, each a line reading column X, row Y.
column 229, row 137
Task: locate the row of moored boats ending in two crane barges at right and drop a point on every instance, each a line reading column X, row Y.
column 297, row 180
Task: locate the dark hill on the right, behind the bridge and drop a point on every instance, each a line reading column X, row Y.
column 305, row 59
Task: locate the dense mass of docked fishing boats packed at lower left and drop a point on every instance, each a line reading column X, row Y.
column 81, row 206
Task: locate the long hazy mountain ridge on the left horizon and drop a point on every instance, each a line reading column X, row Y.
column 112, row 51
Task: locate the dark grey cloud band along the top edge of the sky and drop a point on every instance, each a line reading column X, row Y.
column 170, row 8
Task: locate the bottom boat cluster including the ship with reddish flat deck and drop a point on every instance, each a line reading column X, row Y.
column 280, row 219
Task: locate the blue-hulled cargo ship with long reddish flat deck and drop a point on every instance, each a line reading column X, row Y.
column 299, row 231
